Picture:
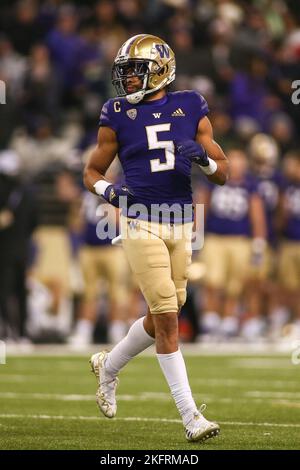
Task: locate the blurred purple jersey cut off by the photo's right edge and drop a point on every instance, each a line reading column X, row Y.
column 291, row 230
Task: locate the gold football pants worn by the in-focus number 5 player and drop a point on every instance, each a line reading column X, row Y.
column 159, row 255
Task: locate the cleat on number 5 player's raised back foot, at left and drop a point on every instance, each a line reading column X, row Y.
column 106, row 393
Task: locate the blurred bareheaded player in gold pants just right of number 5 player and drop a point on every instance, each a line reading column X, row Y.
column 235, row 239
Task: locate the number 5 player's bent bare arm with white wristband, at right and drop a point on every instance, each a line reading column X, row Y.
column 214, row 152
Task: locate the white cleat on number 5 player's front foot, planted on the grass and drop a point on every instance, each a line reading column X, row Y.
column 199, row 428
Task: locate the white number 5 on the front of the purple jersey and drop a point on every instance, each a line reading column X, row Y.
column 167, row 145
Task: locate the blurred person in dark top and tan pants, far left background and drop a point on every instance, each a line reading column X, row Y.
column 57, row 196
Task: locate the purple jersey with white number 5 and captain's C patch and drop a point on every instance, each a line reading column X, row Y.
column 147, row 133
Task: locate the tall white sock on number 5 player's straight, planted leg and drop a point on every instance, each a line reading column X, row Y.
column 174, row 370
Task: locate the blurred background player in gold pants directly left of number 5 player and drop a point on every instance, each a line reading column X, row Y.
column 105, row 266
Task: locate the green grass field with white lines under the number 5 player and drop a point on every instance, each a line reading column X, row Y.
column 49, row 403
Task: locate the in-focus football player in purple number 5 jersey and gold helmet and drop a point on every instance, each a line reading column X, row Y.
column 157, row 135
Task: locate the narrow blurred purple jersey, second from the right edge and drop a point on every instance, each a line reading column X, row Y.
column 269, row 190
